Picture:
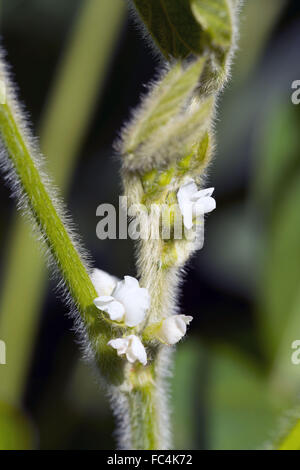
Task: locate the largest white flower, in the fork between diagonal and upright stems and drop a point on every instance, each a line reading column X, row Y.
column 124, row 301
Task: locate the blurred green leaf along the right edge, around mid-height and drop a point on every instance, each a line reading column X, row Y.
column 280, row 290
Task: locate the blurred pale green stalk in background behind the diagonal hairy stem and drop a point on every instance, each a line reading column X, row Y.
column 67, row 114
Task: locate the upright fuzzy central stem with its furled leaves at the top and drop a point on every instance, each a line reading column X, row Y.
column 168, row 142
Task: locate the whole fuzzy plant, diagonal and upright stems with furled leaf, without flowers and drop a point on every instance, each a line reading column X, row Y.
column 168, row 142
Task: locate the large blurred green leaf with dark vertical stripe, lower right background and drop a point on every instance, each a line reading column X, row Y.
column 221, row 400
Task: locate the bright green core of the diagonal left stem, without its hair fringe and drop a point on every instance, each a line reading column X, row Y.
column 57, row 238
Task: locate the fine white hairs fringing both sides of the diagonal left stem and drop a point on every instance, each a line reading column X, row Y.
column 24, row 205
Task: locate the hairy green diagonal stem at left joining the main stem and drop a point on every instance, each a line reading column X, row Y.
column 32, row 190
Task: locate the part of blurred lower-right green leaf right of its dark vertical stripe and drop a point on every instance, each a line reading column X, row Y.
column 241, row 411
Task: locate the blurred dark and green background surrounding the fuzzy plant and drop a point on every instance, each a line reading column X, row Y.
column 81, row 67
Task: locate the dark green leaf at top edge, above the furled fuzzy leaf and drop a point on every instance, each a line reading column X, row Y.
column 183, row 27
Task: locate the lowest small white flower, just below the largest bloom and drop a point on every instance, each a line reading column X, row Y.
column 132, row 347
